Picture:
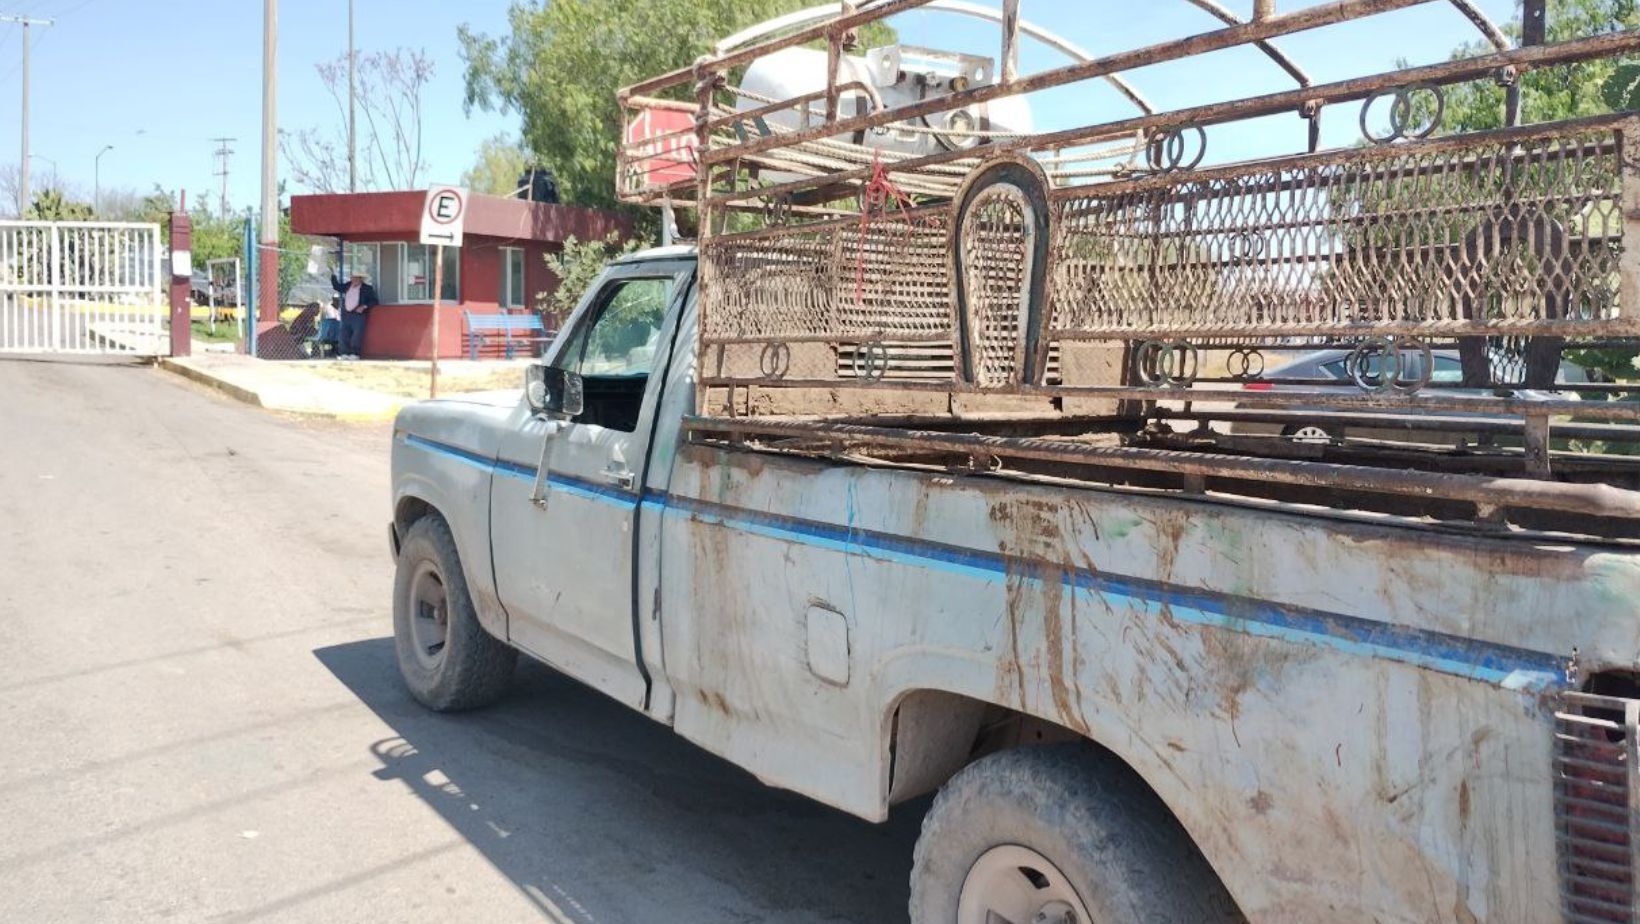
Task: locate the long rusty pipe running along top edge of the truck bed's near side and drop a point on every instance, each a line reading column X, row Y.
column 1588, row 500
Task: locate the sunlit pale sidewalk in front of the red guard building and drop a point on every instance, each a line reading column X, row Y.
column 291, row 388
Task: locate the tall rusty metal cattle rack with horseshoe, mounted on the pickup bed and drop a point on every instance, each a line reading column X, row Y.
column 927, row 262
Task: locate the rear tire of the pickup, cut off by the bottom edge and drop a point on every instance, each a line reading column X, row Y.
column 1088, row 815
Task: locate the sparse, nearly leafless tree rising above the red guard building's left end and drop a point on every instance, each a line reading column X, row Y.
column 389, row 126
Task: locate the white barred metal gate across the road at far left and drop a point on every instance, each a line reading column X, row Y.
column 81, row 288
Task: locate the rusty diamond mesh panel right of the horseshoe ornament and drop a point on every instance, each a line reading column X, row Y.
column 1480, row 239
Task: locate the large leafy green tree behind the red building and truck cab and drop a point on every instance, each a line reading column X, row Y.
column 563, row 62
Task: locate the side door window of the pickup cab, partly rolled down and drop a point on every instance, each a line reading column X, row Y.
column 616, row 349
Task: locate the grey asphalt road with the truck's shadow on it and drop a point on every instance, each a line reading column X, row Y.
column 203, row 721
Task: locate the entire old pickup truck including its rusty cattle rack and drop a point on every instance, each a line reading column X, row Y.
column 960, row 457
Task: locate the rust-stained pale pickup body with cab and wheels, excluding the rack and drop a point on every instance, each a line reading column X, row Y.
column 1136, row 705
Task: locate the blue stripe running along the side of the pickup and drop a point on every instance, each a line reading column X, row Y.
column 1472, row 659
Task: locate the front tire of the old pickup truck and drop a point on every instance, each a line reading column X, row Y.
column 471, row 667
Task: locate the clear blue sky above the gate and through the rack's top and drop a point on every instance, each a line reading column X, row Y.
column 158, row 80
